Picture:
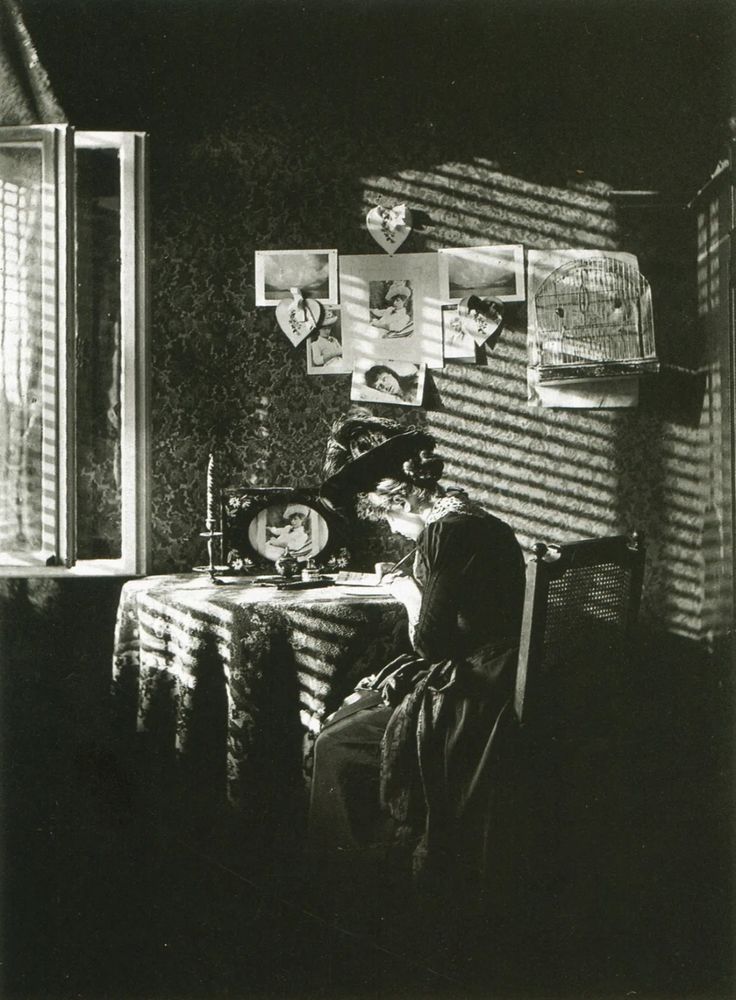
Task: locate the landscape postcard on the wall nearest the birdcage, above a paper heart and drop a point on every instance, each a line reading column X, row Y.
column 489, row 272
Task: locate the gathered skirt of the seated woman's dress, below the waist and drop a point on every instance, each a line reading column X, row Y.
column 422, row 758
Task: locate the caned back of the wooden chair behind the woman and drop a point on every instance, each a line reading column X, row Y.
column 580, row 609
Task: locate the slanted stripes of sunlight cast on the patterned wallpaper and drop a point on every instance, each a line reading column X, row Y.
column 557, row 475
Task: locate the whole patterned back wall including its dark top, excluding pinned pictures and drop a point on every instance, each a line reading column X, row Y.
column 296, row 127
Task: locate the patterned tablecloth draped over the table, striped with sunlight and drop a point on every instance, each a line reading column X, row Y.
column 231, row 677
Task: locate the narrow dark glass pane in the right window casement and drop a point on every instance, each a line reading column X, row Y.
column 99, row 518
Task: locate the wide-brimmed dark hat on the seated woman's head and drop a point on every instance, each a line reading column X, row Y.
column 366, row 459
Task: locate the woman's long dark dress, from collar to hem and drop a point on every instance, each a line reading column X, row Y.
column 411, row 759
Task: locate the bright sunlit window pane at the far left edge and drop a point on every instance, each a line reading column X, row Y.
column 27, row 372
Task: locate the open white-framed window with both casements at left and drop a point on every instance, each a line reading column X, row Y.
column 73, row 351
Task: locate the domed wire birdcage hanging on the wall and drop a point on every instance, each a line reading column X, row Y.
column 591, row 317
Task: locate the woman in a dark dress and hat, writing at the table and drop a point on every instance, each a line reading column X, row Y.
column 406, row 758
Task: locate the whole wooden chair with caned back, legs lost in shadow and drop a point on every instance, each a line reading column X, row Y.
column 575, row 700
